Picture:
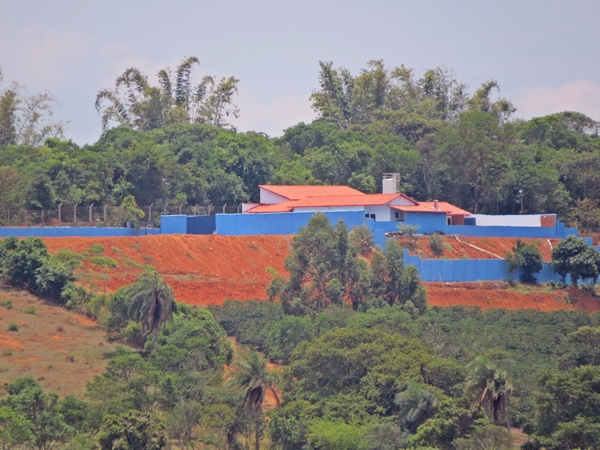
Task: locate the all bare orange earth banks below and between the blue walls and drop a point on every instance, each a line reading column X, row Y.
column 209, row 269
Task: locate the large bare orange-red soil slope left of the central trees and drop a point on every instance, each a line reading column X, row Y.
column 201, row 270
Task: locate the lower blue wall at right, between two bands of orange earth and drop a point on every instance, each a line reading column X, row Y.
column 456, row 270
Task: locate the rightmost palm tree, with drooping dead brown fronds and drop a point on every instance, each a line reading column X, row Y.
column 492, row 387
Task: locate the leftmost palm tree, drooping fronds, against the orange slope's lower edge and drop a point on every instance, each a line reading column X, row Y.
column 151, row 302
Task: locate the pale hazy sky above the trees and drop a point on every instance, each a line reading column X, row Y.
column 543, row 53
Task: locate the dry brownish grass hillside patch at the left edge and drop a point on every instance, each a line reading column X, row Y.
column 59, row 348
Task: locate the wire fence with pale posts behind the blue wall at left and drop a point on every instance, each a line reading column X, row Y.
column 102, row 216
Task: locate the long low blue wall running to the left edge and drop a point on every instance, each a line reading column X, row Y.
column 75, row 232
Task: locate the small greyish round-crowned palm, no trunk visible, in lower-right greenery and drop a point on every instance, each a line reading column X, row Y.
column 417, row 404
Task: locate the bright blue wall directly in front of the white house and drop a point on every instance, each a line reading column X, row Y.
column 280, row 223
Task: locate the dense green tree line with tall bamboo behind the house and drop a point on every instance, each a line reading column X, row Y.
column 446, row 142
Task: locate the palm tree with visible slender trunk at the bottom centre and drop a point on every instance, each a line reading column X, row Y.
column 252, row 375
